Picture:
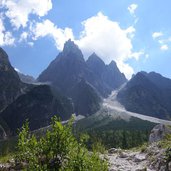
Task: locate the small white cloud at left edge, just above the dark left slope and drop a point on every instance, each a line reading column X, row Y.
column 6, row 37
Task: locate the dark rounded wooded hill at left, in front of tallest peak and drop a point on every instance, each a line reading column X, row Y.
column 38, row 105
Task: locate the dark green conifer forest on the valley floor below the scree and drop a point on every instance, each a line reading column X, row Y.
column 117, row 133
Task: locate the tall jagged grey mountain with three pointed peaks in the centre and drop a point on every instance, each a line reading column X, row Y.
column 69, row 68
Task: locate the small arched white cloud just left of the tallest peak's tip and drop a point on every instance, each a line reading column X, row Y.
column 47, row 28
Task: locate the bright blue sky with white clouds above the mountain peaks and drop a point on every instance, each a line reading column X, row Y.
column 136, row 34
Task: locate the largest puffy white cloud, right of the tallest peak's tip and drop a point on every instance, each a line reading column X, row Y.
column 107, row 39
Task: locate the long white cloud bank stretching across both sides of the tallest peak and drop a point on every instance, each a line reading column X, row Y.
column 100, row 35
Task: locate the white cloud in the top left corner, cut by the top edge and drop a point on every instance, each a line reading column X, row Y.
column 18, row 11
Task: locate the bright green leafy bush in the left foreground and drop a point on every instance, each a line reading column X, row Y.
column 58, row 150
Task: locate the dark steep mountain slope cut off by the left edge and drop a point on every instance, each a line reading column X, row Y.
column 10, row 84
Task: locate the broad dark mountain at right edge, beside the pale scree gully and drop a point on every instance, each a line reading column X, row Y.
column 148, row 94
